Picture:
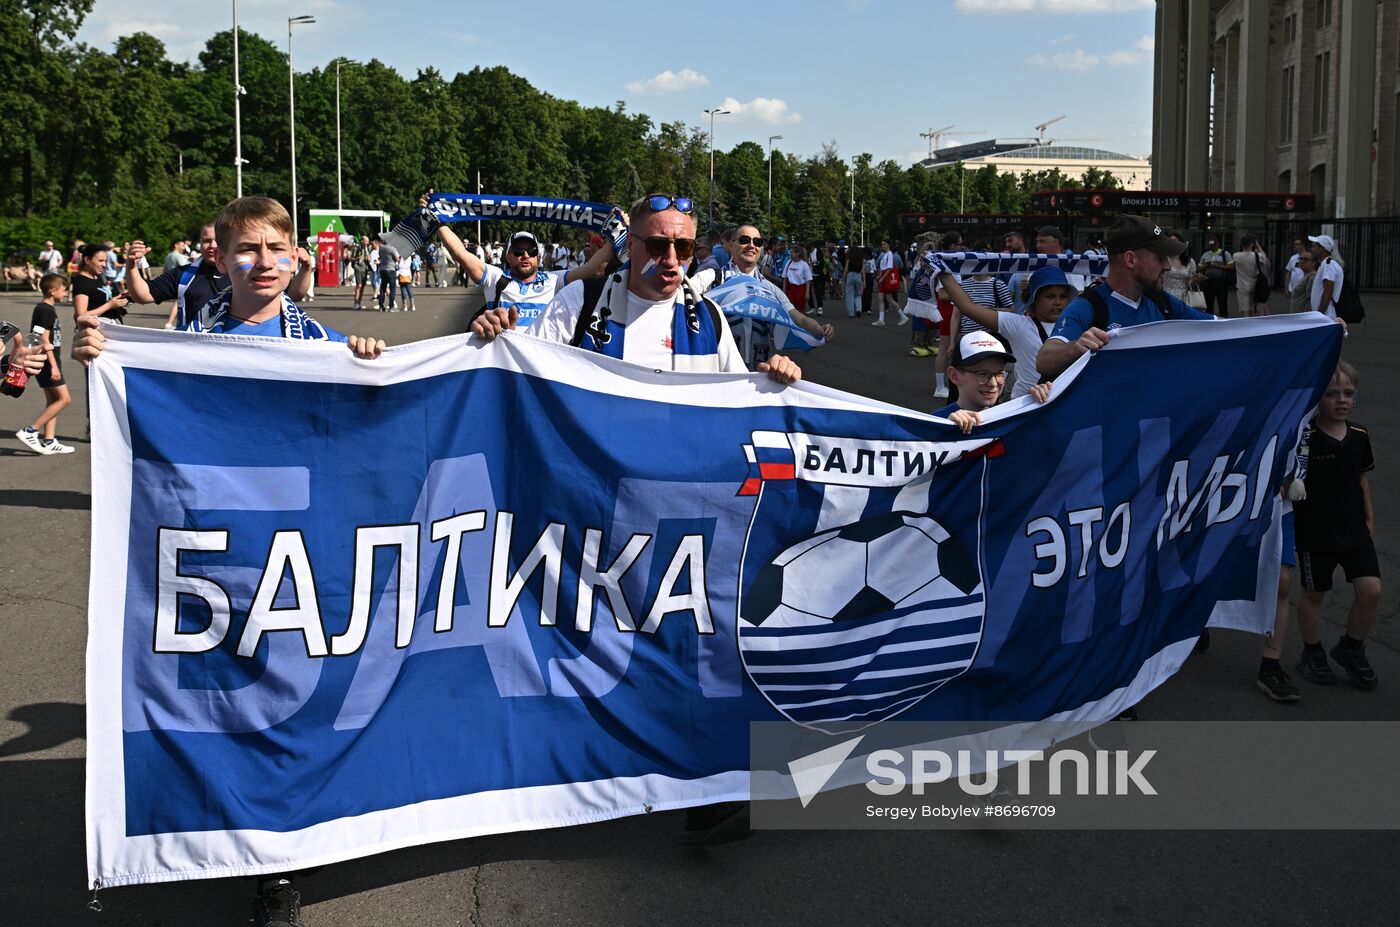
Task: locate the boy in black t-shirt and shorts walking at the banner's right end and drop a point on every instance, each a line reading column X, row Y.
column 1336, row 526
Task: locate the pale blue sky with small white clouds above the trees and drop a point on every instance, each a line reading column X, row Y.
column 870, row 75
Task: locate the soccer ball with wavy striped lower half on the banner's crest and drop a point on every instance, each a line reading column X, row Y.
column 856, row 625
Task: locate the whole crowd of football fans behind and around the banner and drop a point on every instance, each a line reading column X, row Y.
column 246, row 275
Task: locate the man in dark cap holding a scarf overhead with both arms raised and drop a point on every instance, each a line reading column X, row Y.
column 521, row 288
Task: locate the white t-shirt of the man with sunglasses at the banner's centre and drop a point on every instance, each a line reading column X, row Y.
column 649, row 330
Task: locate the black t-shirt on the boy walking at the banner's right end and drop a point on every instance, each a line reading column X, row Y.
column 1333, row 517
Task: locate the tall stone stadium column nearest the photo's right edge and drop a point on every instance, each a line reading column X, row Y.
column 1356, row 107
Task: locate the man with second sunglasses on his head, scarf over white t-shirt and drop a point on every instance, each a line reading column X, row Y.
column 647, row 313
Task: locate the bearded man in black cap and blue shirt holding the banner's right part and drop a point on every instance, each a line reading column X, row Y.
column 1132, row 295
